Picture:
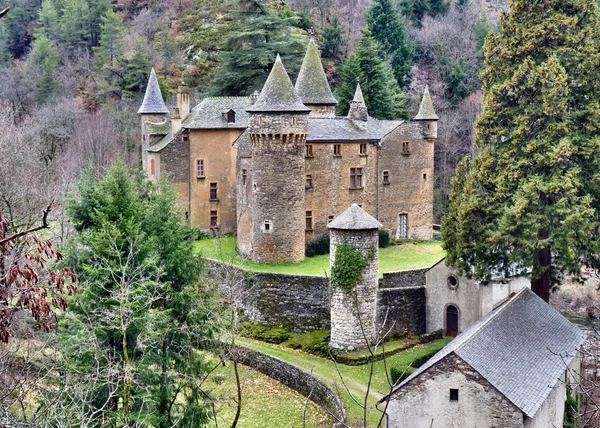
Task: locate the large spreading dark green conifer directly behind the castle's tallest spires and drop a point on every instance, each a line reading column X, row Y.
column 250, row 51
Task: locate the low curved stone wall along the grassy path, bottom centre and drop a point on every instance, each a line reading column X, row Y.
column 294, row 378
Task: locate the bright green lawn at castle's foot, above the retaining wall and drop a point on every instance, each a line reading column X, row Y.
column 406, row 256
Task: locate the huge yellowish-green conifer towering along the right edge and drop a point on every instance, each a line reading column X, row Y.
column 530, row 200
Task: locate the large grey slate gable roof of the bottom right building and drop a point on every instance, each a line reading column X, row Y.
column 522, row 348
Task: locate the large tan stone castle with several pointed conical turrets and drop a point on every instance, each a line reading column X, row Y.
column 275, row 168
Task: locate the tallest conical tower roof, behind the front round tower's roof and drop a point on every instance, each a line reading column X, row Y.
column 312, row 84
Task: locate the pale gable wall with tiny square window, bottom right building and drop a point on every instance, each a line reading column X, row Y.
column 425, row 401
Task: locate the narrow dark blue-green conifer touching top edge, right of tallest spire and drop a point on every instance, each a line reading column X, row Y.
column 389, row 30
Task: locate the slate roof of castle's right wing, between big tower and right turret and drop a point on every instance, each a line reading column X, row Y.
column 343, row 129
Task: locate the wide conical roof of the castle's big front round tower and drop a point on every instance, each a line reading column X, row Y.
column 278, row 94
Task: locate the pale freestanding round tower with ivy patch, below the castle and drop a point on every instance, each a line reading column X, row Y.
column 353, row 313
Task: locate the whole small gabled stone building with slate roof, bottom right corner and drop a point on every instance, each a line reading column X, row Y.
column 508, row 370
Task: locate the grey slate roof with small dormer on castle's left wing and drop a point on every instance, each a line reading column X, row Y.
column 209, row 113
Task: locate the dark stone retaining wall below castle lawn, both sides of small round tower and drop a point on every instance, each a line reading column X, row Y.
column 301, row 303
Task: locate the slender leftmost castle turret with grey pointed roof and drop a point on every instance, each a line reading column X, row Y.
column 153, row 114
